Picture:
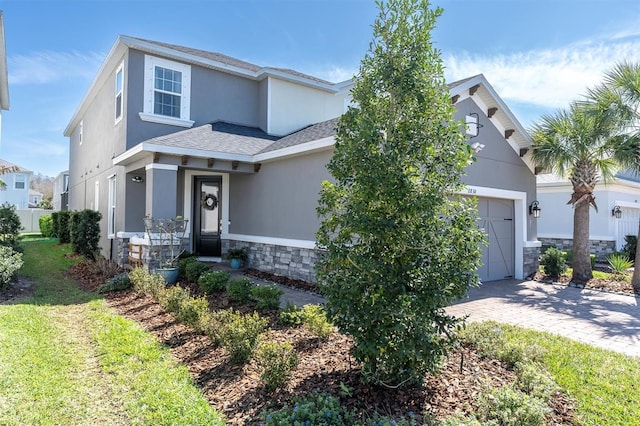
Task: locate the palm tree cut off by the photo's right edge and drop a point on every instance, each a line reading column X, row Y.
column 617, row 100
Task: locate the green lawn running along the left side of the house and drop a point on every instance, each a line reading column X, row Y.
column 67, row 359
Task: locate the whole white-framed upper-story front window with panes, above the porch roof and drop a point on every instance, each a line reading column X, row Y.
column 167, row 92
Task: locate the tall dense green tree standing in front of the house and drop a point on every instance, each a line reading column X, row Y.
column 400, row 245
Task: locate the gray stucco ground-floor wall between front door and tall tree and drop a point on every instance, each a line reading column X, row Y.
column 280, row 201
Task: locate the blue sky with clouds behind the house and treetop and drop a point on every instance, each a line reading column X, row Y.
column 538, row 54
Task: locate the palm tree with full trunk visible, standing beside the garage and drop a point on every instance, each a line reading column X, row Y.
column 576, row 143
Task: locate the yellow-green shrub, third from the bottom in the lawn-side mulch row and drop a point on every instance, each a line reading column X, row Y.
column 239, row 335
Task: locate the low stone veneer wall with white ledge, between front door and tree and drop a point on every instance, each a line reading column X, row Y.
column 292, row 262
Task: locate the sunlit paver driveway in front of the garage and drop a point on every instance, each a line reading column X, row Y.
column 597, row 318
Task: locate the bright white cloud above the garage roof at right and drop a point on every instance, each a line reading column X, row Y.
column 548, row 78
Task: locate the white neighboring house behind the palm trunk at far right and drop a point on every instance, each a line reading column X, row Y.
column 606, row 230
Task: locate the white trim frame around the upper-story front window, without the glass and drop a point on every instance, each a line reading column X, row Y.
column 147, row 114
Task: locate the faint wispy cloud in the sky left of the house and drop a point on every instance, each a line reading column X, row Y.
column 50, row 66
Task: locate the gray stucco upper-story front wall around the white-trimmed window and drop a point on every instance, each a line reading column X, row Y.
column 214, row 96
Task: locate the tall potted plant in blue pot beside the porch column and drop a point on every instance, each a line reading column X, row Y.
column 165, row 243
